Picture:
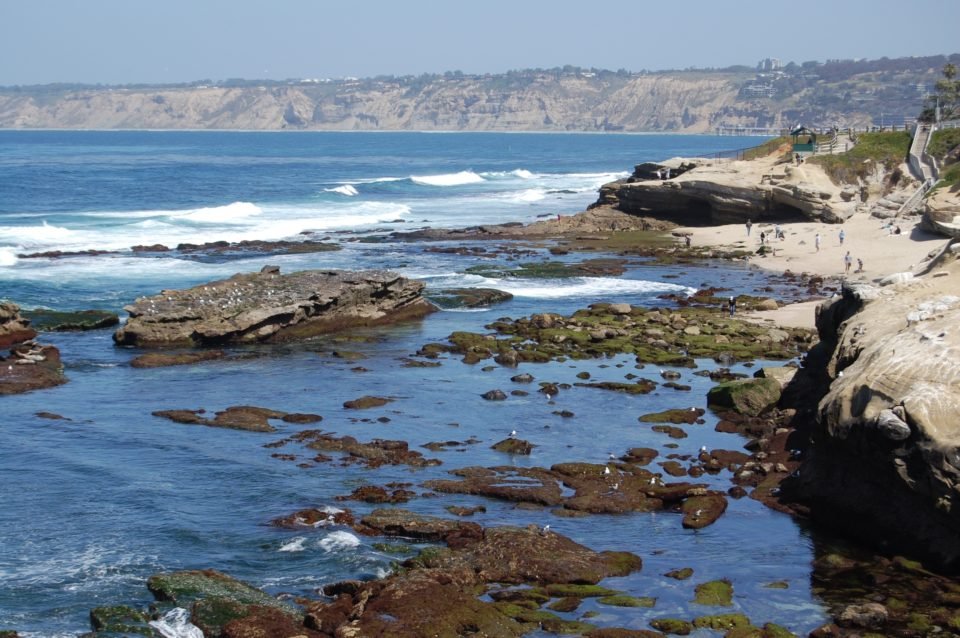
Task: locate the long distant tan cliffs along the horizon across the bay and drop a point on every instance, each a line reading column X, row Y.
column 558, row 100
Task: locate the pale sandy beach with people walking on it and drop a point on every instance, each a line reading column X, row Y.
column 865, row 237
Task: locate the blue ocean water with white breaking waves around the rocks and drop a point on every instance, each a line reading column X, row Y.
column 93, row 504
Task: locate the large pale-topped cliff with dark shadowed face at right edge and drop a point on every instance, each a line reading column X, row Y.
column 885, row 464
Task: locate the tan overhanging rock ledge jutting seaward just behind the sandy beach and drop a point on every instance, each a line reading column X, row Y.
column 709, row 192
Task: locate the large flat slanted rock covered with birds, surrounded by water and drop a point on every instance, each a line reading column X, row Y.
column 270, row 307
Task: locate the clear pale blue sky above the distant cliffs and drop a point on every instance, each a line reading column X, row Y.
column 155, row 41
